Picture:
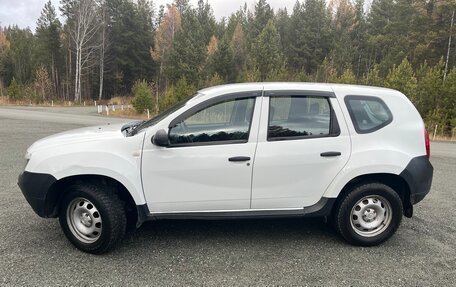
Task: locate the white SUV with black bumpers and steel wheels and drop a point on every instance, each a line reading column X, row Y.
column 357, row 155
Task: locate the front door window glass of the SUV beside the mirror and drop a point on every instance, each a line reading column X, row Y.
column 222, row 122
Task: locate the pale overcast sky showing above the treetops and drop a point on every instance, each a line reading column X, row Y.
column 24, row 13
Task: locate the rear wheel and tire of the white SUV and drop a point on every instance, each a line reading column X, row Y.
column 368, row 215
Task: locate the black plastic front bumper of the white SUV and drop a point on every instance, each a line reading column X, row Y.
column 35, row 188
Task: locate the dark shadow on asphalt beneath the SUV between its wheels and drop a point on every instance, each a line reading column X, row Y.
column 169, row 234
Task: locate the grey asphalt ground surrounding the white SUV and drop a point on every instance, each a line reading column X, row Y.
column 285, row 252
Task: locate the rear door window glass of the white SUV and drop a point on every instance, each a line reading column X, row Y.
column 291, row 117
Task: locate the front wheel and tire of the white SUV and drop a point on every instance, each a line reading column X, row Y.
column 92, row 218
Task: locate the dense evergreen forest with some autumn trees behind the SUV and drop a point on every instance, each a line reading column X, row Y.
column 99, row 49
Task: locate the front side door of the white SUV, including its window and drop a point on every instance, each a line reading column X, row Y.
column 208, row 165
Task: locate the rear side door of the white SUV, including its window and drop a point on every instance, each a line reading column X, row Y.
column 303, row 144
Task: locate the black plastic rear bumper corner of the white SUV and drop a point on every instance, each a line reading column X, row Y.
column 418, row 175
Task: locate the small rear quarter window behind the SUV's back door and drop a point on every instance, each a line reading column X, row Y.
column 368, row 114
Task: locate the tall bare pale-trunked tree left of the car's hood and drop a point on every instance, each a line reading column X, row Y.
column 83, row 28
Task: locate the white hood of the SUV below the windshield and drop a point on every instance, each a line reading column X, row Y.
column 78, row 136
